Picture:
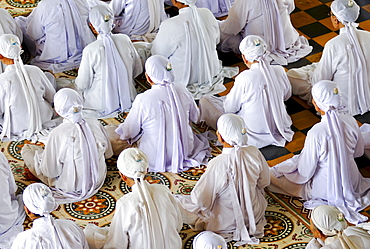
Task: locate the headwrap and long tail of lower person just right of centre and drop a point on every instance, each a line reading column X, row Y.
column 232, row 129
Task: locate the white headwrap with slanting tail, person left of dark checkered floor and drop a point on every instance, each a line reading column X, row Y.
column 254, row 48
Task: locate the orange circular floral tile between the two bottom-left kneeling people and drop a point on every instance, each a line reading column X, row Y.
column 96, row 207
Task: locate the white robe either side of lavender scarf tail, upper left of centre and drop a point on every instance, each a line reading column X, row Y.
column 90, row 74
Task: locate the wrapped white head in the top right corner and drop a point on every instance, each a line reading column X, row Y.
column 346, row 11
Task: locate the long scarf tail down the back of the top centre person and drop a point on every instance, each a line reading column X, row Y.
column 204, row 71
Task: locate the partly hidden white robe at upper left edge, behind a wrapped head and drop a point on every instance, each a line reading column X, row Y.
column 8, row 26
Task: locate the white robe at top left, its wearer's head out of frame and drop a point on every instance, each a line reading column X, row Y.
column 55, row 35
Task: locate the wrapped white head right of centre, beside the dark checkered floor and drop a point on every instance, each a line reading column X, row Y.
column 253, row 47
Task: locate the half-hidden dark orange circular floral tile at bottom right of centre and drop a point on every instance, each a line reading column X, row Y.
column 277, row 228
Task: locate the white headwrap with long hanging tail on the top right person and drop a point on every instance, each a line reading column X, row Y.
column 347, row 12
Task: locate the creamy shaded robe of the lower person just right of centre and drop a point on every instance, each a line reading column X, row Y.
column 212, row 197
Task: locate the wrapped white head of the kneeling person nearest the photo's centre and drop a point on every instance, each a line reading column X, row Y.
column 159, row 69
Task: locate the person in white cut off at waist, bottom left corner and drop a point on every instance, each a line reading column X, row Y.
column 46, row 232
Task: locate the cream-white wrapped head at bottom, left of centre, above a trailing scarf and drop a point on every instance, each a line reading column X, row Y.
column 133, row 163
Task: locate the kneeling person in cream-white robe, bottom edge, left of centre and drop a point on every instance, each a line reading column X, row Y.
column 148, row 217
